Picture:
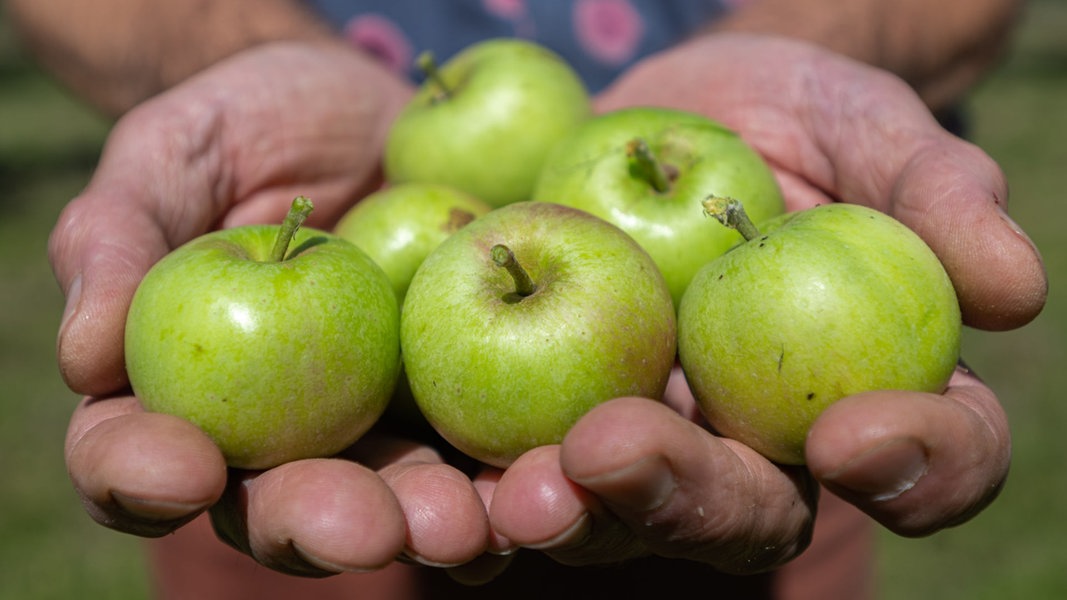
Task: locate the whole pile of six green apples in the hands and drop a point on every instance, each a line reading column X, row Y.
column 527, row 261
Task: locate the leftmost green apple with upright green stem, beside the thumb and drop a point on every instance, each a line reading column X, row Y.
column 281, row 343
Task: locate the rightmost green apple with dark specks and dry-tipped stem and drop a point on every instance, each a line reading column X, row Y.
column 826, row 303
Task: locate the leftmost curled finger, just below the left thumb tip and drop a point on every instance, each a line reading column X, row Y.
column 141, row 473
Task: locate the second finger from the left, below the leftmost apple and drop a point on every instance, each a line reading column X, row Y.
column 313, row 518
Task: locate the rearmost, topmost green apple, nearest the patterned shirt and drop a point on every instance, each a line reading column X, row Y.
column 486, row 120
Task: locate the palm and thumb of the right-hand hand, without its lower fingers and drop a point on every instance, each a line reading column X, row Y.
column 836, row 131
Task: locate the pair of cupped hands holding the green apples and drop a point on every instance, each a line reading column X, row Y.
column 237, row 143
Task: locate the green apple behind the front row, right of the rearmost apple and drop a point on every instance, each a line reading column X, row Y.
column 647, row 169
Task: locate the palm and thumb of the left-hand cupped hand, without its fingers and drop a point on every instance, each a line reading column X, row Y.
column 232, row 146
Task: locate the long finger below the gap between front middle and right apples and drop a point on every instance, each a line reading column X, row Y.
column 687, row 494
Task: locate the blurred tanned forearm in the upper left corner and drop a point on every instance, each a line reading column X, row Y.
column 119, row 53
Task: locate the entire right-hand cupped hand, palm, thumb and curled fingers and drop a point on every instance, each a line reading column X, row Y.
column 634, row 478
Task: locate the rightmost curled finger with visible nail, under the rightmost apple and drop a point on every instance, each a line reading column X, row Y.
column 916, row 463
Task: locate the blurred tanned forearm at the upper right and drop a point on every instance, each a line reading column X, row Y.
column 941, row 48
